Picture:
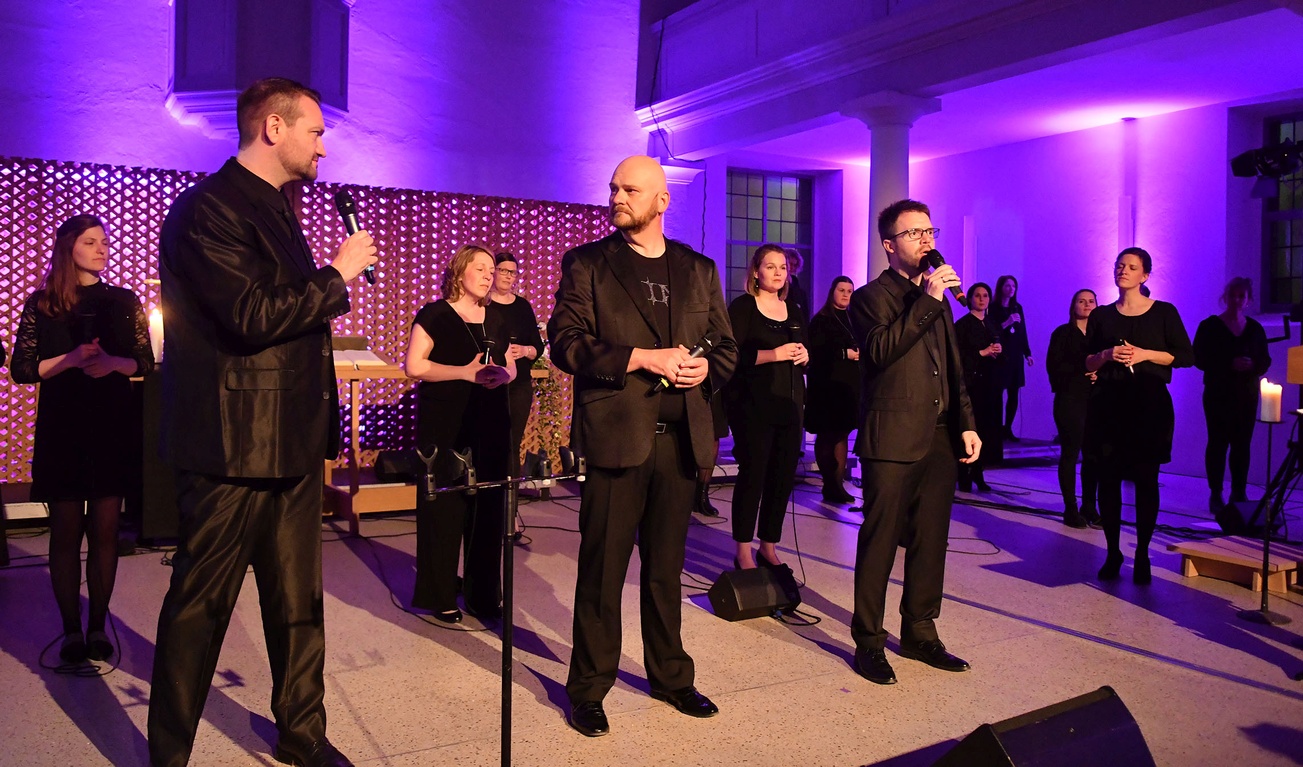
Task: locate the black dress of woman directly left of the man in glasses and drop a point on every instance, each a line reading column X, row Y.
column 833, row 381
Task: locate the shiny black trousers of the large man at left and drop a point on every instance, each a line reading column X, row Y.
column 229, row 524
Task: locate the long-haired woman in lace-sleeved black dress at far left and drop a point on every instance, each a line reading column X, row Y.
column 83, row 339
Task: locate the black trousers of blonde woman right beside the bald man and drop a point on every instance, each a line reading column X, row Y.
column 767, row 471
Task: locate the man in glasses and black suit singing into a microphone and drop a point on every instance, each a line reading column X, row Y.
column 917, row 415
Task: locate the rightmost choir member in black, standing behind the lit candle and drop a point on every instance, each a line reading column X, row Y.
column 1231, row 348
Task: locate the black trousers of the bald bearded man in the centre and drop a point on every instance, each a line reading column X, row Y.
column 651, row 505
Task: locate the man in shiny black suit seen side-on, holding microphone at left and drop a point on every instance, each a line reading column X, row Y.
column 251, row 412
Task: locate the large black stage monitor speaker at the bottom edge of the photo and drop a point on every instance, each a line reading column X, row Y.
column 1086, row 731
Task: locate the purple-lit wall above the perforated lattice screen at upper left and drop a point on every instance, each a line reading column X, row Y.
column 513, row 98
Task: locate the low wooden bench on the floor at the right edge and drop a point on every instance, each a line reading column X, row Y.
column 1240, row 561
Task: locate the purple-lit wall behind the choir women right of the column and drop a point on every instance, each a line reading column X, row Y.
column 1053, row 213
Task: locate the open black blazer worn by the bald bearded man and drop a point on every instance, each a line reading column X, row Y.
column 601, row 317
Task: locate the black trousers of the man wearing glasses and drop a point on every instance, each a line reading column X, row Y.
column 905, row 505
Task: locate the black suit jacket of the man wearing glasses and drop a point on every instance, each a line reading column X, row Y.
column 900, row 370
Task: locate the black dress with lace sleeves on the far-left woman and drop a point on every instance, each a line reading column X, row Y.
column 85, row 432
